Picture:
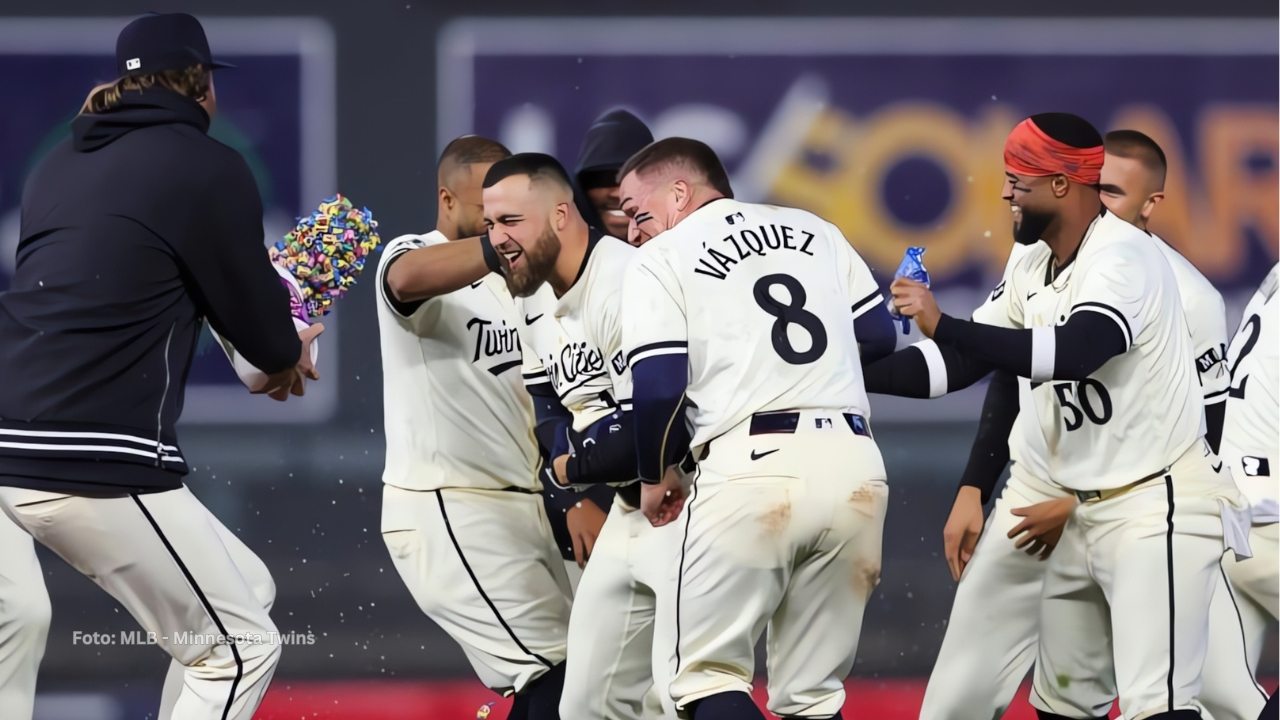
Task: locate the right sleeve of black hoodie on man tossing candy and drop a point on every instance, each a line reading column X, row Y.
column 231, row 277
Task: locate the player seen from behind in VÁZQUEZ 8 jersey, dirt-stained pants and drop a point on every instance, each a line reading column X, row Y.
column 749, row 316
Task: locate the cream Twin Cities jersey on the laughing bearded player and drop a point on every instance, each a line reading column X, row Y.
column 575, row 341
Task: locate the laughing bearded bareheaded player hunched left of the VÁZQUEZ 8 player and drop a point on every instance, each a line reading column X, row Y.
column 568, row 279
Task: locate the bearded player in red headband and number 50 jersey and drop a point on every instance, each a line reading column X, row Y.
column 1092, row 320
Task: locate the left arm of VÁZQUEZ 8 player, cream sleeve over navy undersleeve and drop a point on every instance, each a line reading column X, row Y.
column 656, row 338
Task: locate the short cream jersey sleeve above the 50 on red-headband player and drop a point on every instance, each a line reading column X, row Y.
column 1117, row 288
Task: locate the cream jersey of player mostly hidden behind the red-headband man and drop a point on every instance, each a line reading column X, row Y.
column 1206, row 320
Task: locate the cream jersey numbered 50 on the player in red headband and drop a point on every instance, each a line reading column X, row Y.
column 1142, row 409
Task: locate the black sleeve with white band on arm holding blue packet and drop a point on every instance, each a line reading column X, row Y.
column 1080, row 347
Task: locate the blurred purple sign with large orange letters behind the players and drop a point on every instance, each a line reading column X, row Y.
column 894, row 129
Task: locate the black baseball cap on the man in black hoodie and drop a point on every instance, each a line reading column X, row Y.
column 163, row 42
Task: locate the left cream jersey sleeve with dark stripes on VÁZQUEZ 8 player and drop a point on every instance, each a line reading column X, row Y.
column 655, row 322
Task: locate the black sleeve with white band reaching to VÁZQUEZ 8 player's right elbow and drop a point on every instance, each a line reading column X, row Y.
column 907, row 373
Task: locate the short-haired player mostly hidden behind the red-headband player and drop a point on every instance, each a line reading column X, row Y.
column 991, row 639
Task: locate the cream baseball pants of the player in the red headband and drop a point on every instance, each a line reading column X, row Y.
column 1131, row 582
